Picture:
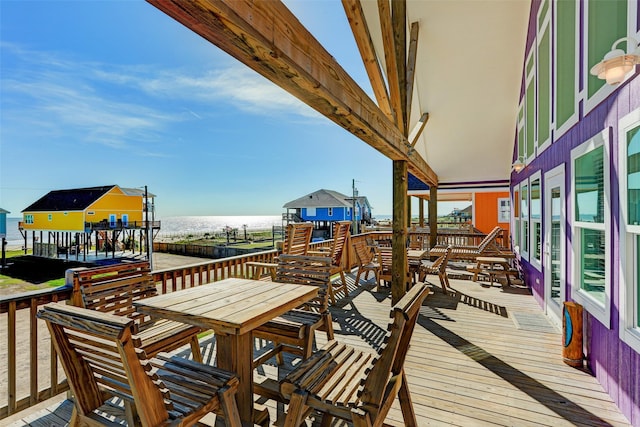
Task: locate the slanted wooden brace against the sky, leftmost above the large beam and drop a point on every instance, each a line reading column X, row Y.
column 362, row 36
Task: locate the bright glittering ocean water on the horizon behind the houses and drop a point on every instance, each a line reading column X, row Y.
column 174, row 226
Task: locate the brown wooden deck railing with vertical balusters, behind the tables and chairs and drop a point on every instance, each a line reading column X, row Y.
column 31, row 358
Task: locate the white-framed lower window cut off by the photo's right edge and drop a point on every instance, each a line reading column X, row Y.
column 629, row 169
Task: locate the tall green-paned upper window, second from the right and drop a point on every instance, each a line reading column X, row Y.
column 566, row 76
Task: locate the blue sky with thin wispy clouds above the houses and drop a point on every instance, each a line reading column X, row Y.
column 115, row 92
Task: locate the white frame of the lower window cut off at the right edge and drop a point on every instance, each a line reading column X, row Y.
column 628, row 331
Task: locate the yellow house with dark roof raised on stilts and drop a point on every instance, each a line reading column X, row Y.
column 70, row 217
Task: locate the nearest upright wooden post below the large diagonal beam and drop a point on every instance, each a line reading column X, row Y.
column 399, row 226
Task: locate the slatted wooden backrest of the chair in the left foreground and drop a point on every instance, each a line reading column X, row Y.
column 99, row 354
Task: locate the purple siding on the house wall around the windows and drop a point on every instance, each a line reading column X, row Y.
column 615, row 364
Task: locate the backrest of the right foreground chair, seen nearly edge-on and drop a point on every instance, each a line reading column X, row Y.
column 393, row 352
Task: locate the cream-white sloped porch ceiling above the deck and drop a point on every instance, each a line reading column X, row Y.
column 468, row 78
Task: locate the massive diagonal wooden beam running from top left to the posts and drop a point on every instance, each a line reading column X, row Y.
column 268, row 38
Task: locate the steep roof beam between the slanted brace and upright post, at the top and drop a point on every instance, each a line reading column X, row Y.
column 388, row 42
